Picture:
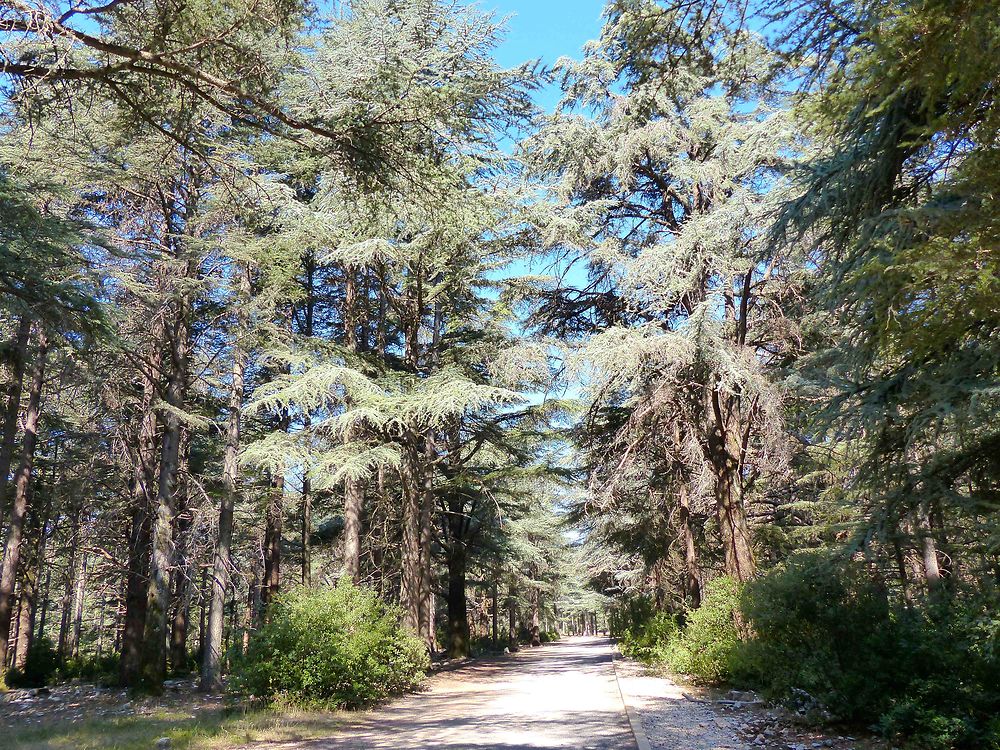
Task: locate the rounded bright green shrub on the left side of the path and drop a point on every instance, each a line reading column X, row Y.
column 340, row 647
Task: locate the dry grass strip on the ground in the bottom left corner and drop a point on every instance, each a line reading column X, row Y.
column 213, row 730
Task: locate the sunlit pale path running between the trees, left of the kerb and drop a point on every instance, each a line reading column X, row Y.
column 563, row 695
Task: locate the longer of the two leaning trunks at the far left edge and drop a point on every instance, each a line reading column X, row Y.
column 22, row 480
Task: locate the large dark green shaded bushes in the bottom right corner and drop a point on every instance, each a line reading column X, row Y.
column 928, row 672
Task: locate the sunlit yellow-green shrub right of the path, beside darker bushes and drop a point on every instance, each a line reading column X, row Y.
column 707, row 647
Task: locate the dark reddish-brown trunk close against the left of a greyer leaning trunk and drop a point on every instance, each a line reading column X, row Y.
column 140, row 536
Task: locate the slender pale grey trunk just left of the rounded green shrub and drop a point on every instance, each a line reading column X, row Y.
column 211, row 663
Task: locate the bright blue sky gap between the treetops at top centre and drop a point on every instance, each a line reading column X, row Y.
column 546, row 29
